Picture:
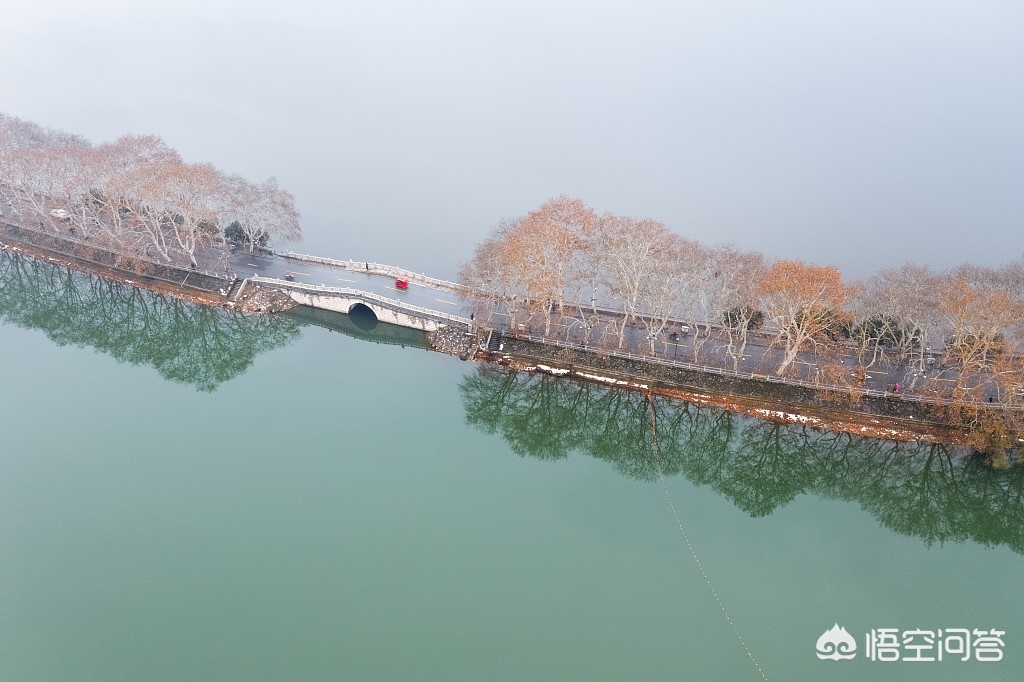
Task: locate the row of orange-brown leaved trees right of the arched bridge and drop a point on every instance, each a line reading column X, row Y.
column 565, row 260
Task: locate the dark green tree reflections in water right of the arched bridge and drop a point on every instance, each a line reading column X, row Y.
column 928, row 491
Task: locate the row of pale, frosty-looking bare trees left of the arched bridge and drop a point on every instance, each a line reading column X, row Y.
column 136, row 196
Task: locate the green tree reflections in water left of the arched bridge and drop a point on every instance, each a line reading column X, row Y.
column 185, row 343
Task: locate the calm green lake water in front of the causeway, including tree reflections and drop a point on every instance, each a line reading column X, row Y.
column 188, row 494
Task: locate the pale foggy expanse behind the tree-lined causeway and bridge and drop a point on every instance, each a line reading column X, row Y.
column 859, row 134
